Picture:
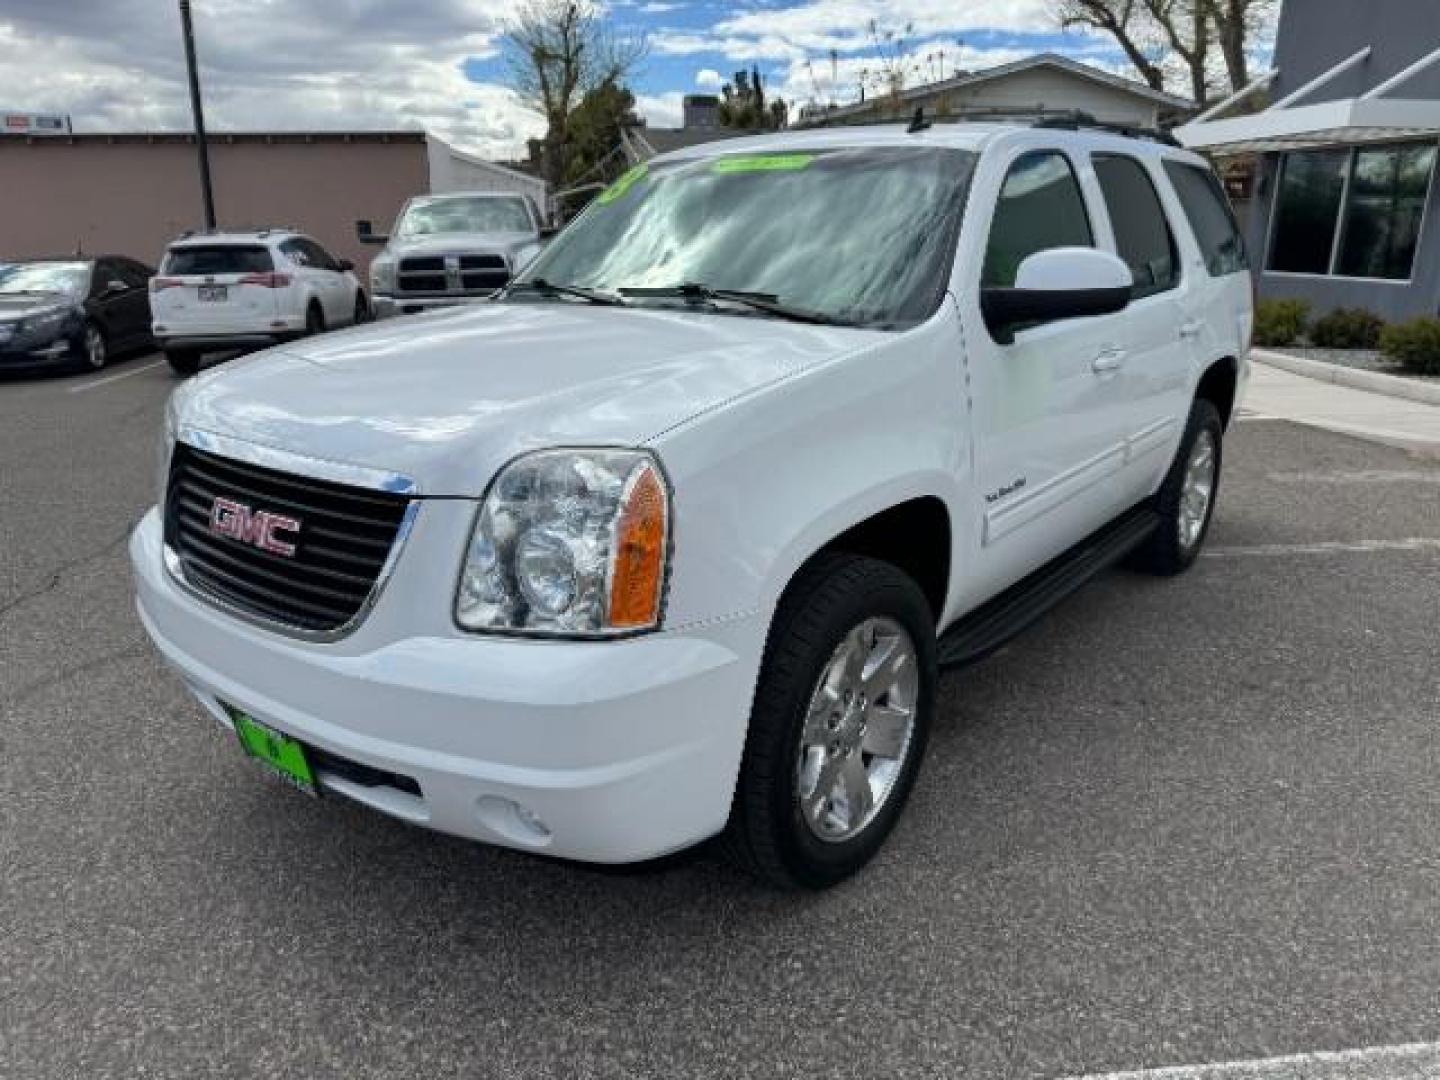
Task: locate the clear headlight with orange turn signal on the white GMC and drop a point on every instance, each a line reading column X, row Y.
column 570, row 544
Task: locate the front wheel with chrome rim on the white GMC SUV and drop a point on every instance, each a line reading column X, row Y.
column 840, row 722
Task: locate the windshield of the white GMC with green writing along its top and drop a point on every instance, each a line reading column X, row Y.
column 856, row 235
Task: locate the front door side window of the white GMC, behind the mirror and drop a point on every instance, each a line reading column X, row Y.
column 1040, row 208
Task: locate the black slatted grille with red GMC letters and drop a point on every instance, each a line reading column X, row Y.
column 341, row 546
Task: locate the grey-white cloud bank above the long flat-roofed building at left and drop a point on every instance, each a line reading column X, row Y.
column 267, row 66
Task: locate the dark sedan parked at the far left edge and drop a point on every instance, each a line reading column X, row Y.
column 73, row 313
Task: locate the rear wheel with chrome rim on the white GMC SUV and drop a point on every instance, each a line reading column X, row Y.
column 1186, row 502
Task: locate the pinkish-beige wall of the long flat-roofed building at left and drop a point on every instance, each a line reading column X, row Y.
column 133, row 195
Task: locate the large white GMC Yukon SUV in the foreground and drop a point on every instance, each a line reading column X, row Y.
column 672, row 539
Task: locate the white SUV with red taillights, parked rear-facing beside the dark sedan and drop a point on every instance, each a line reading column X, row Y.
column 224, row 292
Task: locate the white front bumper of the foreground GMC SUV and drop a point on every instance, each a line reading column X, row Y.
column 623, row 751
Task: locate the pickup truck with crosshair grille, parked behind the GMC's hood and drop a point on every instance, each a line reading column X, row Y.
column 451, row 250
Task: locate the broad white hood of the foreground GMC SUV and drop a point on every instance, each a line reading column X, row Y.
column 447, row 400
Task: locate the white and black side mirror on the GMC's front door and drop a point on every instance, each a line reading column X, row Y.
column 1062, row 283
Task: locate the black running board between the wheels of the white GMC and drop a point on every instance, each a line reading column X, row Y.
column 1000, row 620
